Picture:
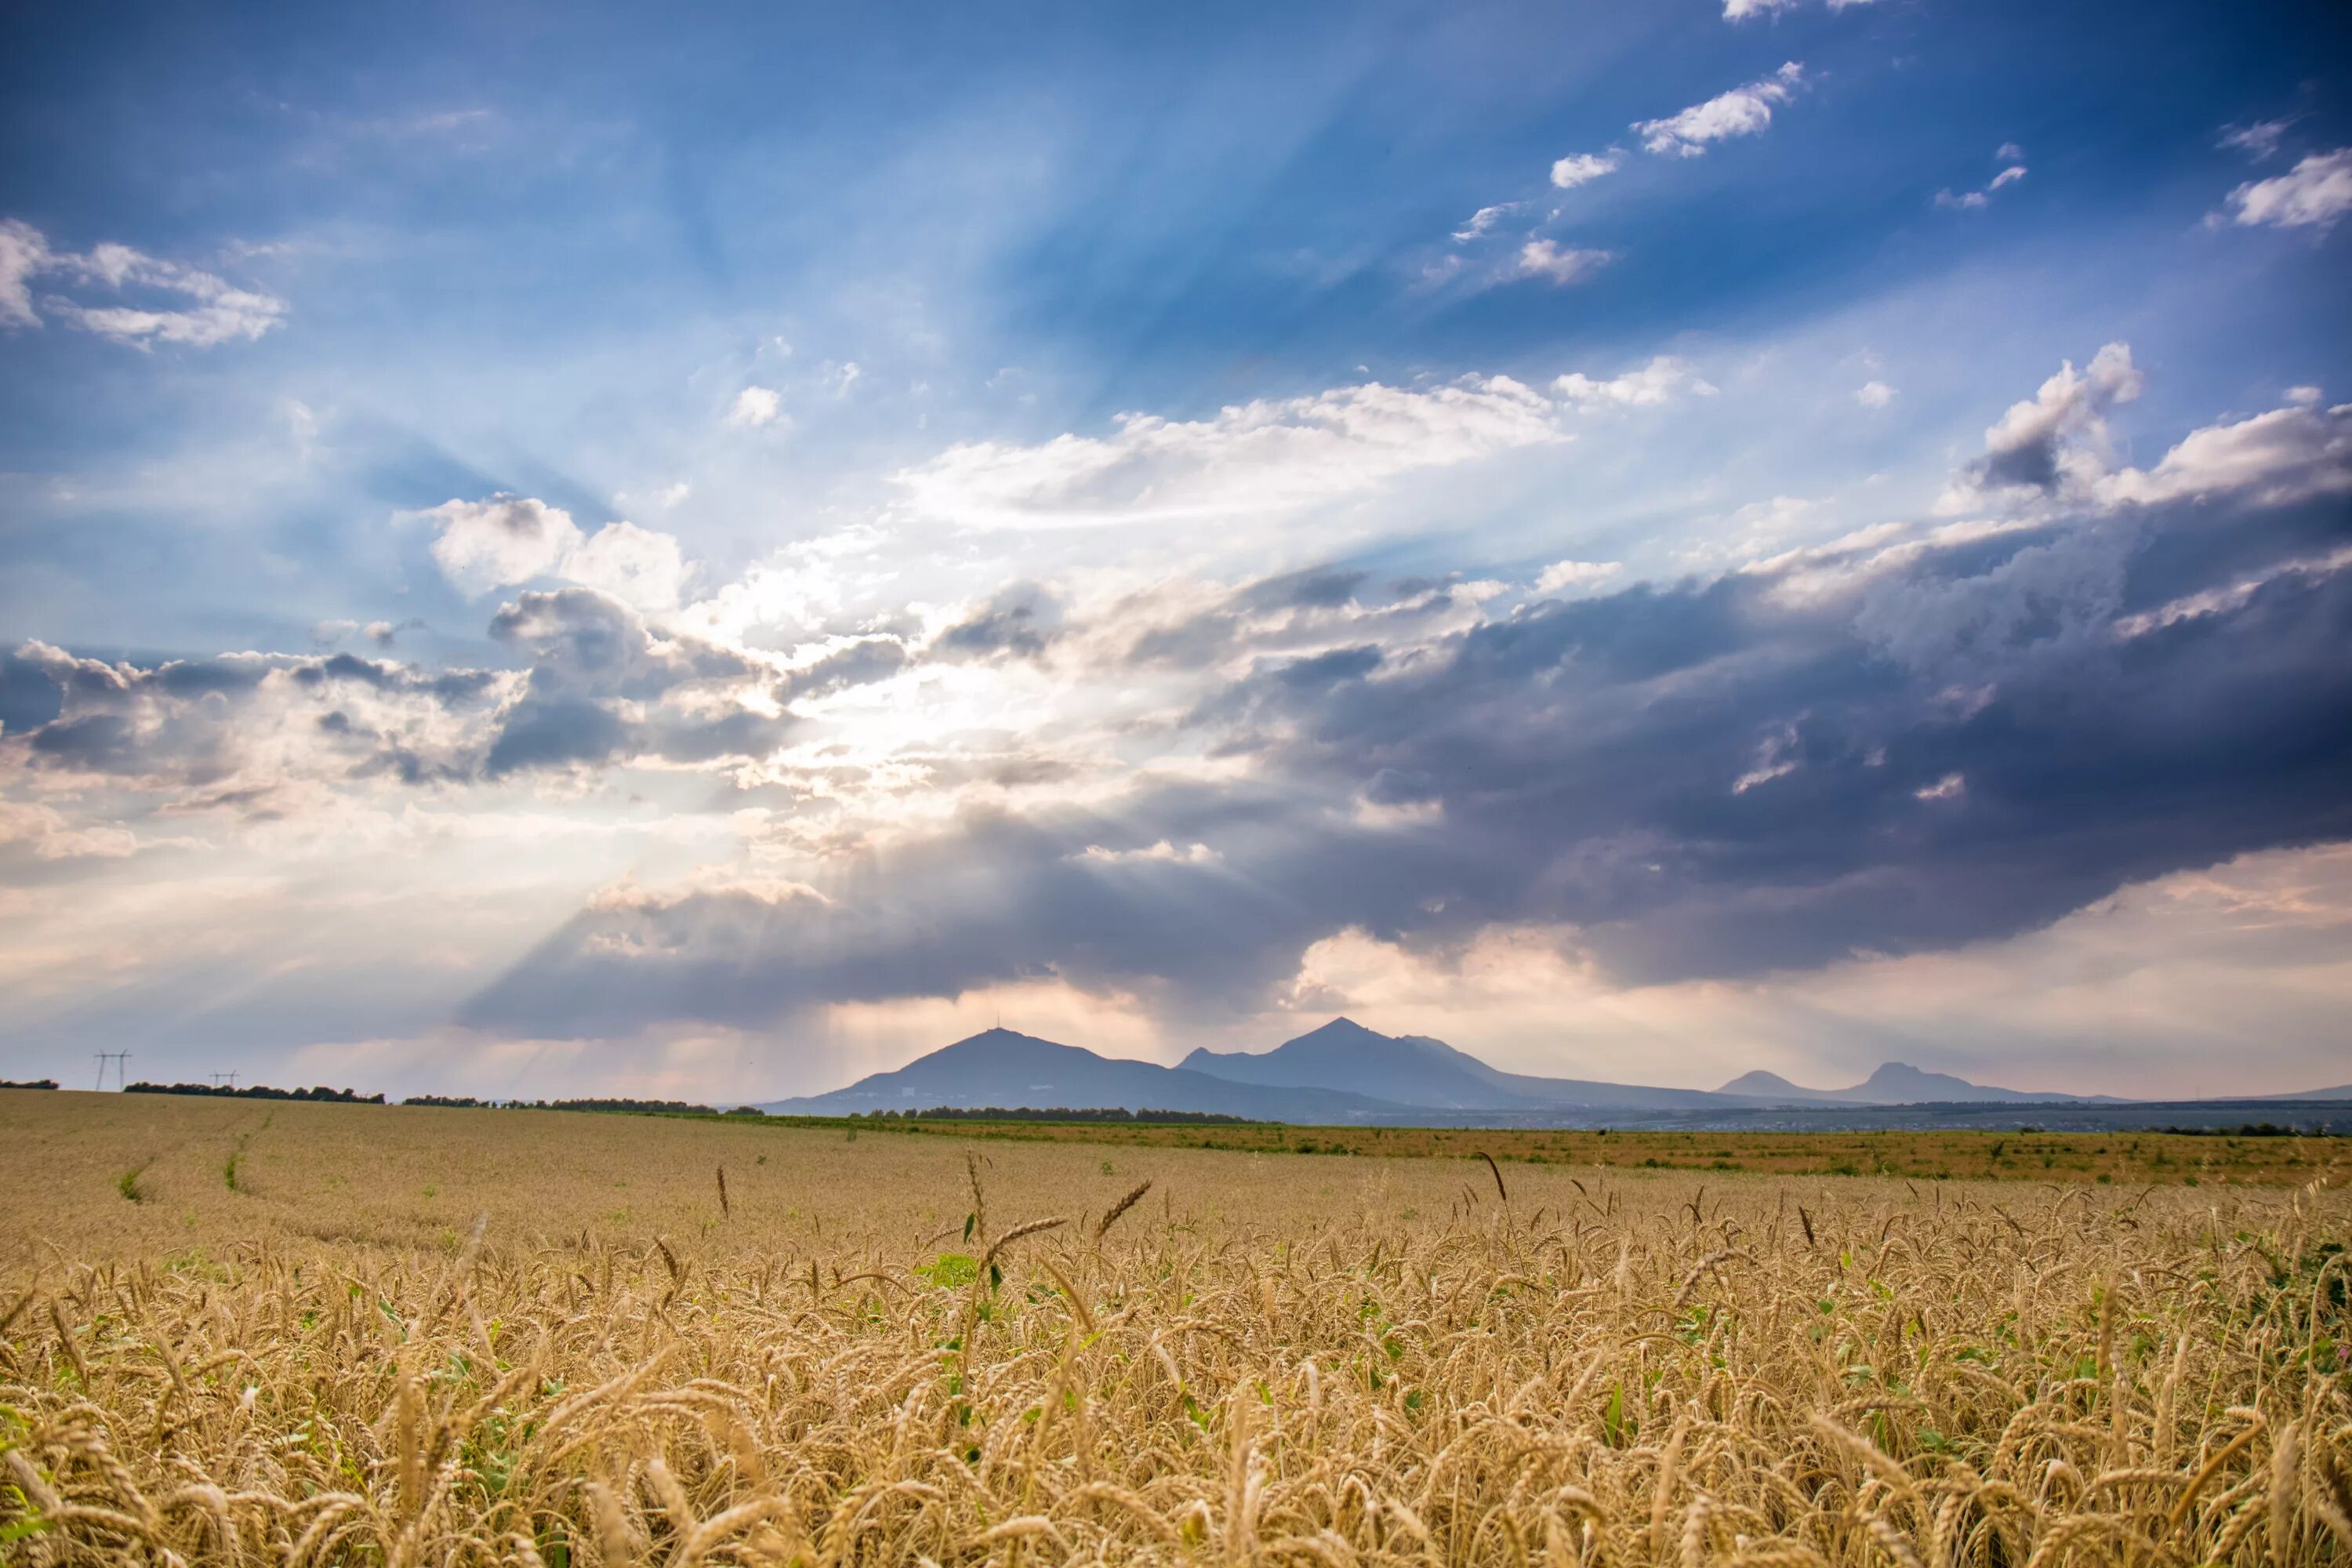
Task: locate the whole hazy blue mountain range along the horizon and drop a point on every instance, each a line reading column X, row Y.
column 1349, row 1073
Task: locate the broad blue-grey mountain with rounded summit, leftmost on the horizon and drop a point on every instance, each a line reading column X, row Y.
column 1013, row 1071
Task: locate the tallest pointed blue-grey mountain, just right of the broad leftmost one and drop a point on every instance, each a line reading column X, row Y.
column 1426, row 1073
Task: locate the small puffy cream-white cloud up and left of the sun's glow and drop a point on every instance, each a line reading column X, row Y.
column 514, row 540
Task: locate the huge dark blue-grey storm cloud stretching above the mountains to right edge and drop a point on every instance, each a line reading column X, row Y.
column 1859, row 751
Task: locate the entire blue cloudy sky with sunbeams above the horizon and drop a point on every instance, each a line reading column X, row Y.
column 709, row 551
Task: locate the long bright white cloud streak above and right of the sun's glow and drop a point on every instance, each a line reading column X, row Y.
column 1257, row 457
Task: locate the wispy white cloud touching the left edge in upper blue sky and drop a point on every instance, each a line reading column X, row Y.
column 215, row 314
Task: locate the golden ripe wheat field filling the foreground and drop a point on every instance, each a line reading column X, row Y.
column 319, row 1334
